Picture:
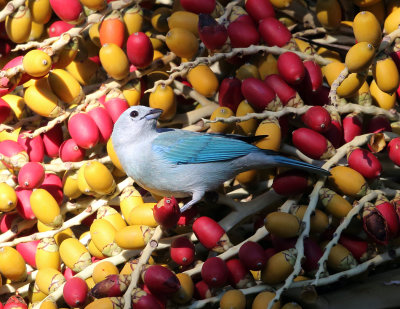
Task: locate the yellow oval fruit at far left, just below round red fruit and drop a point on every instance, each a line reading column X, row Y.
column 46, row 208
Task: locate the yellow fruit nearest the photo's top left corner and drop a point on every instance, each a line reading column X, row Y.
column 18, row 25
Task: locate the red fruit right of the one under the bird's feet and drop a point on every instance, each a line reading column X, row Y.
column 208, row 232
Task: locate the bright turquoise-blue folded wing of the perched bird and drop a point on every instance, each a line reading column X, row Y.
column 183, row 147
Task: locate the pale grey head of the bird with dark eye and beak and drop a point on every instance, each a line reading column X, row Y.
column 136, row 121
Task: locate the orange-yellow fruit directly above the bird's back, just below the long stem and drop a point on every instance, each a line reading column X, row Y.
column 203, row 80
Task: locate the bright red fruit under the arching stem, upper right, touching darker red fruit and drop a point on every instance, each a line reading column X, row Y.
column 291, row 68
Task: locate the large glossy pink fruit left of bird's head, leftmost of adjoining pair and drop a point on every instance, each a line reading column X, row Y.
column 83, row 130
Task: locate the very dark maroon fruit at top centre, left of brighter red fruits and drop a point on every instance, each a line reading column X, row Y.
column 211, row 33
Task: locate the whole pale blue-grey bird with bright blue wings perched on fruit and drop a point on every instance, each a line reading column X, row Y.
column 183, row 163
